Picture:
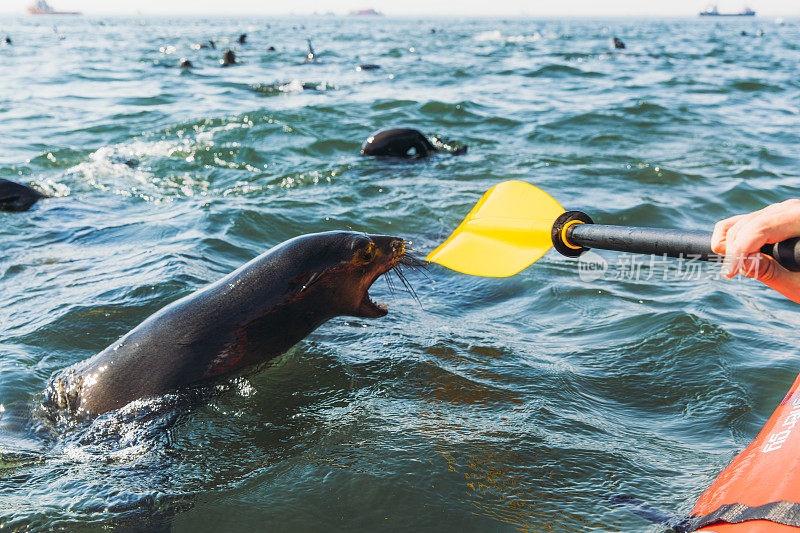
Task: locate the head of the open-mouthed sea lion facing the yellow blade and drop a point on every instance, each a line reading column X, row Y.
column 341, row 266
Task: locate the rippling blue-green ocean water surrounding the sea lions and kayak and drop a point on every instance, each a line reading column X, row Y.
column 518, row 404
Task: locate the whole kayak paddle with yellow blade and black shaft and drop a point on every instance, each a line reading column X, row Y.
column 515, row 223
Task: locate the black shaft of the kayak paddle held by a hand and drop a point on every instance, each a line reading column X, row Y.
column 656, row 241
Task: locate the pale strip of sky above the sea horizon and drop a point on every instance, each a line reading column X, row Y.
column 534, row 8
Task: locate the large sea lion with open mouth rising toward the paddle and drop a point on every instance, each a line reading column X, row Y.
column 250, row 316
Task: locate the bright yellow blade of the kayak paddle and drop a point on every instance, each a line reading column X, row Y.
column 506, row 231
